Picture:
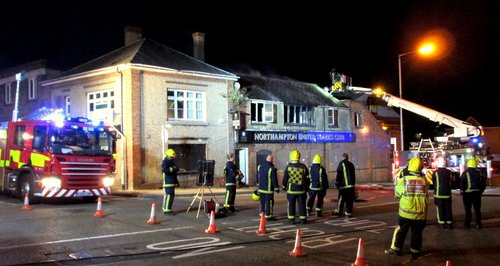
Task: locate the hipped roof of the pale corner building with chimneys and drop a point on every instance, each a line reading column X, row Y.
column 147, row 52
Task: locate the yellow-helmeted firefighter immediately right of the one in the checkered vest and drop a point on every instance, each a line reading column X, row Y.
column 318, row 187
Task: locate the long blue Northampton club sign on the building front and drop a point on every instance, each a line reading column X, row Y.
column 294, row 137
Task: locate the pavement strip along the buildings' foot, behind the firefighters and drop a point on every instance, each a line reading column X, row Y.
column 220, row 191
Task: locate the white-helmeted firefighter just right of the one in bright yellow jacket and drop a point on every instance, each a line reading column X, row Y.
column 441, row 178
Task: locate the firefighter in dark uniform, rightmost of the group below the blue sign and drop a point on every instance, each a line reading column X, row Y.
column 345, row 182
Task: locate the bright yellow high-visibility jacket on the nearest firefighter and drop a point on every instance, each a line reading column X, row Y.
column 412, row 191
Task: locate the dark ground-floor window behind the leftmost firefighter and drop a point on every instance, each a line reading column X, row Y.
column 188, row 155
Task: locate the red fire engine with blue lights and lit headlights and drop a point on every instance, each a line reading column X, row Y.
column 58, row 158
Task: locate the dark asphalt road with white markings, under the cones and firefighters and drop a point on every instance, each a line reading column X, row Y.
column 56, row 233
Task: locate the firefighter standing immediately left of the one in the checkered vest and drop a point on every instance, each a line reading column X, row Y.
column 268, row 184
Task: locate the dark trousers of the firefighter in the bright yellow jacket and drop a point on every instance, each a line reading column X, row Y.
column 398, row 239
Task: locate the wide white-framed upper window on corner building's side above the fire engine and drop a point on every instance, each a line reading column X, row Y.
column 100, row 105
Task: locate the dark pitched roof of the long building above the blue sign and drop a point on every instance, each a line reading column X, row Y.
column 287, row 91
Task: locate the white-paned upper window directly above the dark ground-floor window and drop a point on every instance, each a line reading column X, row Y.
column 185, row 105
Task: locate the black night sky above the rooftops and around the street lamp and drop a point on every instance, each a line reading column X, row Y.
column 298, row 41
